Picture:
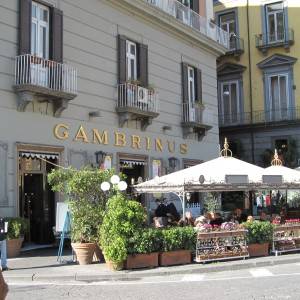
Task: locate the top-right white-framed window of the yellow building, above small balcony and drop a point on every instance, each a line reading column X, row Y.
column 275, row 22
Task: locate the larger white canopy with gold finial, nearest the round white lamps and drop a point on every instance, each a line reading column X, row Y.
column 221, row 172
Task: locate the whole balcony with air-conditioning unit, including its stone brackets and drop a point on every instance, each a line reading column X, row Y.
column 136, row 103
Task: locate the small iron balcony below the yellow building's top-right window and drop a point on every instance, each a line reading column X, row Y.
column 280, row 39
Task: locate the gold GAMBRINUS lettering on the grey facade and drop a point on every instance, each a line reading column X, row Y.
column 62, row 132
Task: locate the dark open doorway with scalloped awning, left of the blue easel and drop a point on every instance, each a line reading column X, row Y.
column 36, row 199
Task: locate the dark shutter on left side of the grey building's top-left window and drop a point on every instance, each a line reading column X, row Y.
column 25, row 26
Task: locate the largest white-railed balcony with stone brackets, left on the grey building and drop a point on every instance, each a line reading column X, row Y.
column 44, row 80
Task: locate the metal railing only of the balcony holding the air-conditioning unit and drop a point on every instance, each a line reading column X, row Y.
column 134, row 96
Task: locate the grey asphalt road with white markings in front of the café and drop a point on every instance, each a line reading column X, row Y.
column 277, row 282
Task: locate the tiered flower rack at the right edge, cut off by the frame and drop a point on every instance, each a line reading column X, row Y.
column 286, row 238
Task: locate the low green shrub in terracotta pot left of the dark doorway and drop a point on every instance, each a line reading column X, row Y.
column 17, row 228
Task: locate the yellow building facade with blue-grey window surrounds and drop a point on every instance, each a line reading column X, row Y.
column 258, row 79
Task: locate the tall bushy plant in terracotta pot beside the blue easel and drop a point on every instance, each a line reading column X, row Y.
column 87, row 203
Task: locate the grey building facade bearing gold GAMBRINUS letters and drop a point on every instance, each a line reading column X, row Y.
column 126, row 84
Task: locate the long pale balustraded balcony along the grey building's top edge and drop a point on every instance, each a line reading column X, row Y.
column 190, row 18
